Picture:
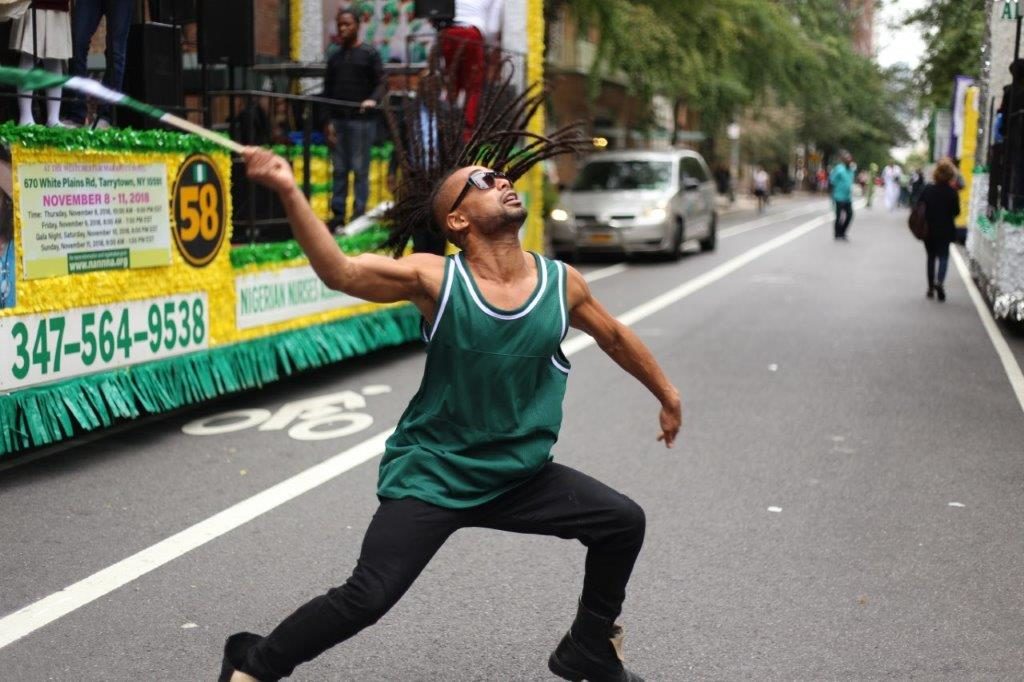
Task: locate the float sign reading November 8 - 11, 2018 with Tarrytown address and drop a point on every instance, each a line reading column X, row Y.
column 81, row 218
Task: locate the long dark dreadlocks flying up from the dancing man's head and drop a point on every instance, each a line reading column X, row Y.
column 432, row 144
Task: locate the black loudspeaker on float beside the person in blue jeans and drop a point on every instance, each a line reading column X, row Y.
column 153, row 70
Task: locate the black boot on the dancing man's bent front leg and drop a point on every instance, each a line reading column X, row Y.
column 591, row 651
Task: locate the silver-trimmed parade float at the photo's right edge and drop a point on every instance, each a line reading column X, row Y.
column 996, row 205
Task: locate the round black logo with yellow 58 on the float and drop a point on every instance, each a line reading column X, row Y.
column 200, row 210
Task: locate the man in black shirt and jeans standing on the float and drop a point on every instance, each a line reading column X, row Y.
column 355, row 74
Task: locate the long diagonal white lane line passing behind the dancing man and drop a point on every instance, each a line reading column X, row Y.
column 49, row 610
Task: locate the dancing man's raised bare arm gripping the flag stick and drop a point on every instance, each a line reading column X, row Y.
column 370, row 277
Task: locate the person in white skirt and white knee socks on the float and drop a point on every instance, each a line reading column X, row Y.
column 44, row 32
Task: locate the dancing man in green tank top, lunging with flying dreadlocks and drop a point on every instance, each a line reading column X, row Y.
column 474, row 448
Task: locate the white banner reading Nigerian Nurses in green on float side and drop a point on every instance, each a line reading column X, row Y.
column 269, row 299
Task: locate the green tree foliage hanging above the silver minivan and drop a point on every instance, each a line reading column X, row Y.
column 727, row 58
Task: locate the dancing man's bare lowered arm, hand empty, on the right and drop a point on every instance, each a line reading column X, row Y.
column 624, row 347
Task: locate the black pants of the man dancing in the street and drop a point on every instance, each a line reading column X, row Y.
column 406, row 534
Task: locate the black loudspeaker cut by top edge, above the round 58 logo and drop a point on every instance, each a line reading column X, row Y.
column 227, row 32
